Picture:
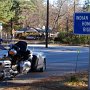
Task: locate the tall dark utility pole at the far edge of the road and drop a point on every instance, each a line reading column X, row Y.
column 47, row 24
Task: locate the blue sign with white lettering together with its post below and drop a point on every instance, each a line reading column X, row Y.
column 81, row 26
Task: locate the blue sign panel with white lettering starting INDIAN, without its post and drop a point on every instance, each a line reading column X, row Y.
column 82, row 23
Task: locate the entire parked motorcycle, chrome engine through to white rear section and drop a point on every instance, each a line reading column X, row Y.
column 20, row 60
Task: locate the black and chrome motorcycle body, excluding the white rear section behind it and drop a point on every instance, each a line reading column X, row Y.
column 16, row 62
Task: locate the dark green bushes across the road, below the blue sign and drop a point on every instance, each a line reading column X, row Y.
column 70, row 38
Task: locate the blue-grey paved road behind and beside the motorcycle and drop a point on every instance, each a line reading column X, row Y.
column 60, row 60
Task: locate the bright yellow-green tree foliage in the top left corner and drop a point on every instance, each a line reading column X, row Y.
column 5, row 10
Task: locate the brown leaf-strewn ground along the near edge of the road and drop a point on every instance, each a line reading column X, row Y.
column 76, row 81
